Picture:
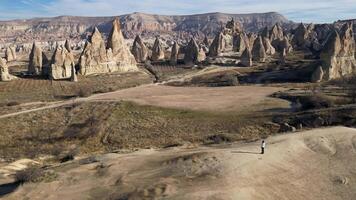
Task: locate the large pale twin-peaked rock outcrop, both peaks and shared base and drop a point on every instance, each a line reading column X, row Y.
column 96, row 58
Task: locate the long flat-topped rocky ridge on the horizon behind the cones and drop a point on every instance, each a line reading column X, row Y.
column 74, row 27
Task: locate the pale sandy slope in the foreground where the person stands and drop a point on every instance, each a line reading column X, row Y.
column 310, row 165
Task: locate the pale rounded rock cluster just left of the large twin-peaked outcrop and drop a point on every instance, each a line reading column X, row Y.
column 62, row 64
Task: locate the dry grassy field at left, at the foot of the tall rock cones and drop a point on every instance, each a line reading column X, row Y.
column 30, row 90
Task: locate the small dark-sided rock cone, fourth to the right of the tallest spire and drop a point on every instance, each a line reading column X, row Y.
column 192, row 54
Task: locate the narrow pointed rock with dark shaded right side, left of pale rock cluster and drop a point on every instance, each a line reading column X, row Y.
column 38, row 61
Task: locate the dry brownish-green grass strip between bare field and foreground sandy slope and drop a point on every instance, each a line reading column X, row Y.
column 100, row 127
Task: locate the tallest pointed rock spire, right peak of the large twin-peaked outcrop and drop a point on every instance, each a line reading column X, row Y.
column 121, row 53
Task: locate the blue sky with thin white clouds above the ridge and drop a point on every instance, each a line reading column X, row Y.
column 316, row 11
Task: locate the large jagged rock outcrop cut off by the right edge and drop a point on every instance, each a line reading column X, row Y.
column 338, row 54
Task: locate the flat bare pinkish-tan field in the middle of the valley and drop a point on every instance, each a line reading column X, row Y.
column 224, row 99
